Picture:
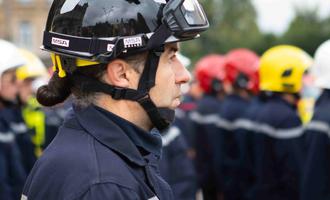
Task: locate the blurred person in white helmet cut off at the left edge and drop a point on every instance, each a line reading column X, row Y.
column 12, row 168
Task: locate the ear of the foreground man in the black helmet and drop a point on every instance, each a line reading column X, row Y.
column 120, row 73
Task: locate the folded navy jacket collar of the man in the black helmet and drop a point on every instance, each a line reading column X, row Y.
column 107, row 132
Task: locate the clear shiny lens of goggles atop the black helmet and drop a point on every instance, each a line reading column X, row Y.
column 193, row 13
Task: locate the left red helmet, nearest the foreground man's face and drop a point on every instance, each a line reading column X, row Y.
column 208, row 69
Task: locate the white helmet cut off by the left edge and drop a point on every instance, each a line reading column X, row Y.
column 10, row 57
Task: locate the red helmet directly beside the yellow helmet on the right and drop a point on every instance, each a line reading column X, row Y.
column 241, row 68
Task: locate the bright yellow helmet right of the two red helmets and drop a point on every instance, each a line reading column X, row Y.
column 282, row 68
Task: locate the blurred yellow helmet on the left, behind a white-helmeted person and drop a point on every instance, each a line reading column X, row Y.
column 33, row 67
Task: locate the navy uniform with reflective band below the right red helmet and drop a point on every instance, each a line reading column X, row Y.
column 226, row 146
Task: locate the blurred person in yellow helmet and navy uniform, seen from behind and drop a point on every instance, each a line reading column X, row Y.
column 279, row 145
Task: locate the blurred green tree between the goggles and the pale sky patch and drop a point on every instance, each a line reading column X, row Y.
column 232, row 25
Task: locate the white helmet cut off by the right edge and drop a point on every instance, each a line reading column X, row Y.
column 321, row 66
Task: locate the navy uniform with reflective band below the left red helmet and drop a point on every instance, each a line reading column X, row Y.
column 203, row 122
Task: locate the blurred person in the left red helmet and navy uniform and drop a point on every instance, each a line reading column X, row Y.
column 209, row 74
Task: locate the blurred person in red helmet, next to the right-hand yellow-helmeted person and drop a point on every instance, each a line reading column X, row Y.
column 241, row 84
